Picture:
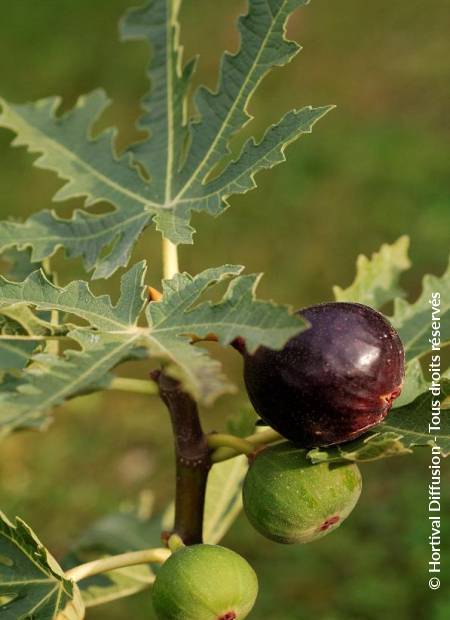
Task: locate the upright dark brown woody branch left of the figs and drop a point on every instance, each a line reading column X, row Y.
column 193, row 460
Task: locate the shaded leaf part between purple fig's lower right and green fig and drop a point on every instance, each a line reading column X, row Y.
column 403, row 429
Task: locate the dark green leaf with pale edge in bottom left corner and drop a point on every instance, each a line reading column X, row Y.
column 32, row 585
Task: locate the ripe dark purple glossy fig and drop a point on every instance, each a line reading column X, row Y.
column 333, row 381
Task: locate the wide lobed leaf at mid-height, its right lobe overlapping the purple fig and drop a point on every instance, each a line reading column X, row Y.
column 112, row 335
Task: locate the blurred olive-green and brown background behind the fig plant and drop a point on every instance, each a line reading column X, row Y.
column 375, row 168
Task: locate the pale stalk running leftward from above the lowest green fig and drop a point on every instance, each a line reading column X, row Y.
column 104, row 565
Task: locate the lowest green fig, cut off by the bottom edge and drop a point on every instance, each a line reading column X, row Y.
column 204, row 582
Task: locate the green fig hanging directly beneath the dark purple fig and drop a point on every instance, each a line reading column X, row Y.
column 290, row 500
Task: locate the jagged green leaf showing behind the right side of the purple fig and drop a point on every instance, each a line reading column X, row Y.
column 407, row 425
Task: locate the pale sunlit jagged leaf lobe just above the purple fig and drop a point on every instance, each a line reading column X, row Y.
column 376, row 280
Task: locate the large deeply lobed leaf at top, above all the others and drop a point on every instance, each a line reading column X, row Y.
column 179, row 154
